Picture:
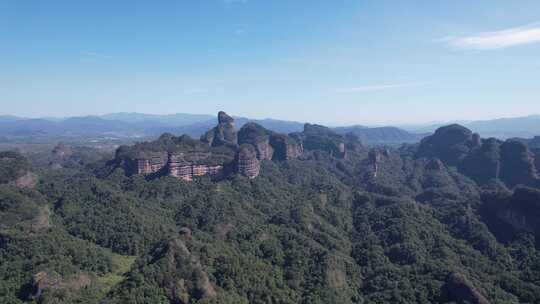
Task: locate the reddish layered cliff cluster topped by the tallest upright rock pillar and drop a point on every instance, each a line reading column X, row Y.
column 220, row 151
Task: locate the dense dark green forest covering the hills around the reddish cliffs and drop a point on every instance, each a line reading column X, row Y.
column 452, row 219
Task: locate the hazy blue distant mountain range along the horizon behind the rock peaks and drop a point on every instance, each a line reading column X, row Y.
column 134, row 126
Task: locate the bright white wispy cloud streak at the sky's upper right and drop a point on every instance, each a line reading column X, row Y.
column 498, row 39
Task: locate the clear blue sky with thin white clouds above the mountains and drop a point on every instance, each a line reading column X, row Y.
column 334, row 61
